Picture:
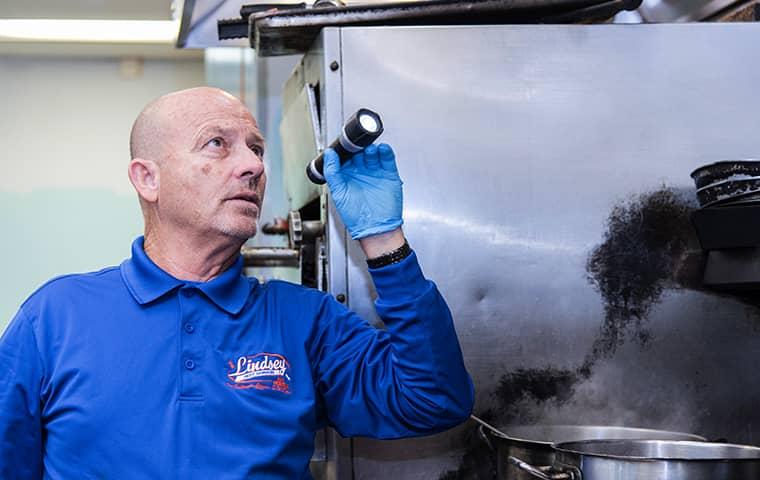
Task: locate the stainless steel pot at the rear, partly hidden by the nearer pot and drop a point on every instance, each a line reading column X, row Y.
column 534, row 443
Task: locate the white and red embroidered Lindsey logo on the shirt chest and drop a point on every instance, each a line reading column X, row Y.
column 262, row 371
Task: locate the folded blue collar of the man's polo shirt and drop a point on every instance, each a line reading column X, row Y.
column 146, row 281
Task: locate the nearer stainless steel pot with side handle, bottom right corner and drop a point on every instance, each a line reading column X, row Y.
column 647, row 460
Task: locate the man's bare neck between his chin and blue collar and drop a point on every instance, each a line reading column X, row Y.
column 189, row 257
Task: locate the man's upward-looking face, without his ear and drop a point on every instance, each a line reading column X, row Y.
column 212, row 176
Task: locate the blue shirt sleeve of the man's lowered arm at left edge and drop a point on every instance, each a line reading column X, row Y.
column 20, row 417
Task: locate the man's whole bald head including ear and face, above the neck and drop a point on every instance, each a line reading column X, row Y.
column 197, row 166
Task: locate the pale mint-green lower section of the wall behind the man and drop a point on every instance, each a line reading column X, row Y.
column 56, row 231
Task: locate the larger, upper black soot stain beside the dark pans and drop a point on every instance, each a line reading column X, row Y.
column 649, row 246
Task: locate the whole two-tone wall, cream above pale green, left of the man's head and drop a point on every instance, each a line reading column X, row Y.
column 66, row 204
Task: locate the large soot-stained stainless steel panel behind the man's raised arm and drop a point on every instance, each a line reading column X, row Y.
column 530, row 154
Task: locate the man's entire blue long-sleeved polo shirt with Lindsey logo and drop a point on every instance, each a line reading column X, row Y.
column 130, row 373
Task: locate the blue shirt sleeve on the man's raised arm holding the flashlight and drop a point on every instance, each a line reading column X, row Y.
column 407, row 380
